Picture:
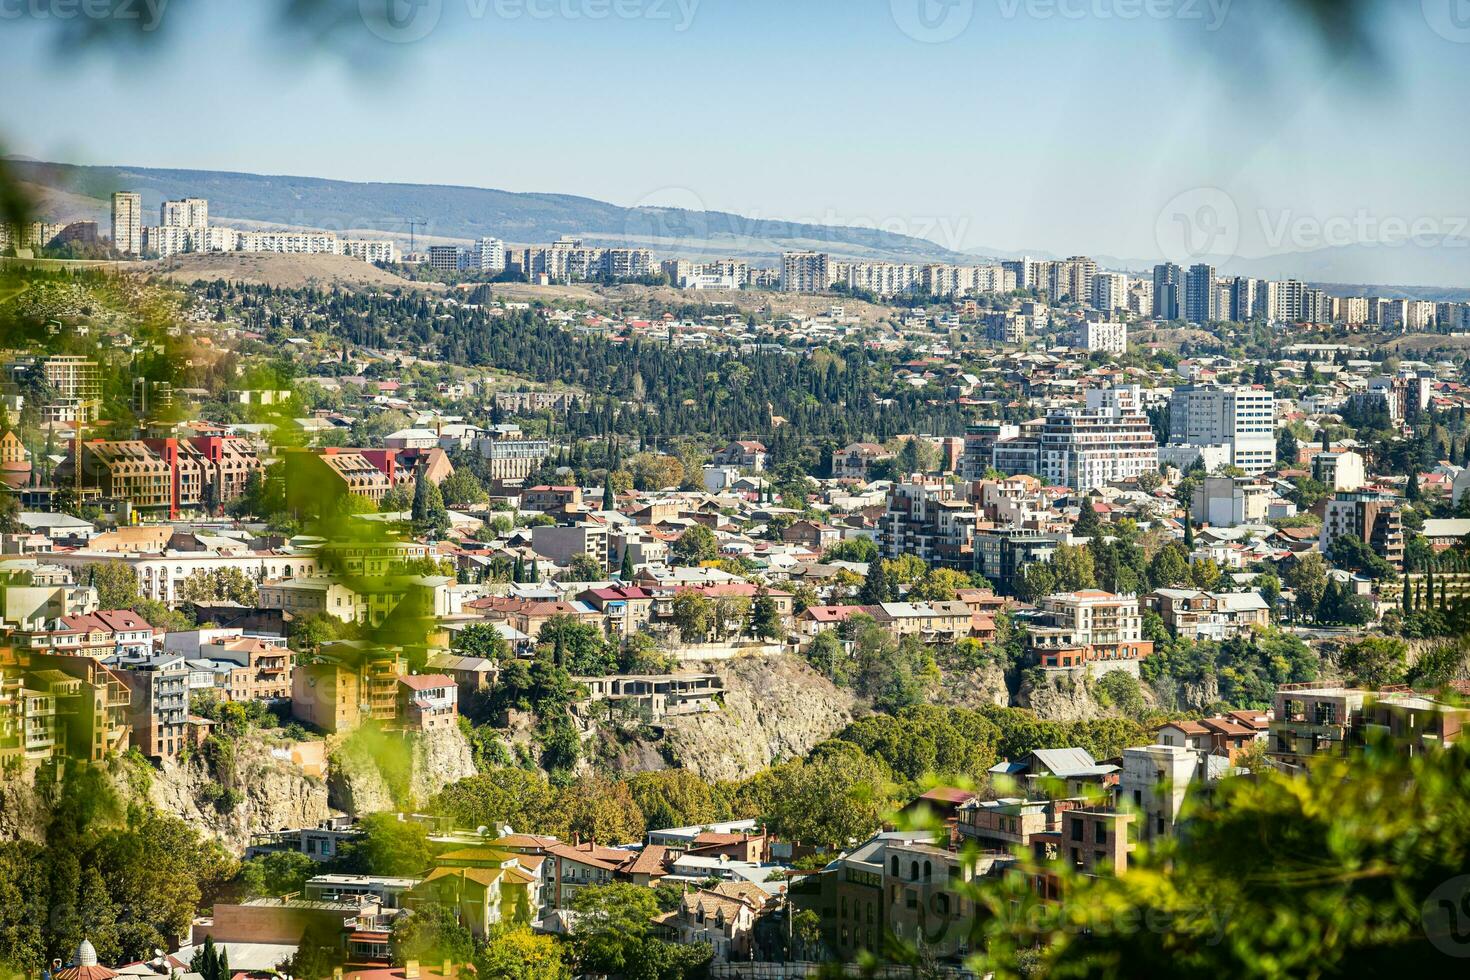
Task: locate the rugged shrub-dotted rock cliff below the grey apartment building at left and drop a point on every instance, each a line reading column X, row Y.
column 267, row 790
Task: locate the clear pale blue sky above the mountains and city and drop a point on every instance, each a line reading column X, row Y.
column 1124, row 129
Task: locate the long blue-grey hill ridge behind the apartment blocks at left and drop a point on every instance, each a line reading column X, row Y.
column 459, row 214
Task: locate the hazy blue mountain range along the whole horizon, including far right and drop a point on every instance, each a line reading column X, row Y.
column 461, row 214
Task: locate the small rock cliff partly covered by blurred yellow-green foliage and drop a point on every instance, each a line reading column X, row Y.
column 373, row 772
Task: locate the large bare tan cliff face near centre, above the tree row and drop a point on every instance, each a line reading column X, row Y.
column 775, row 707
